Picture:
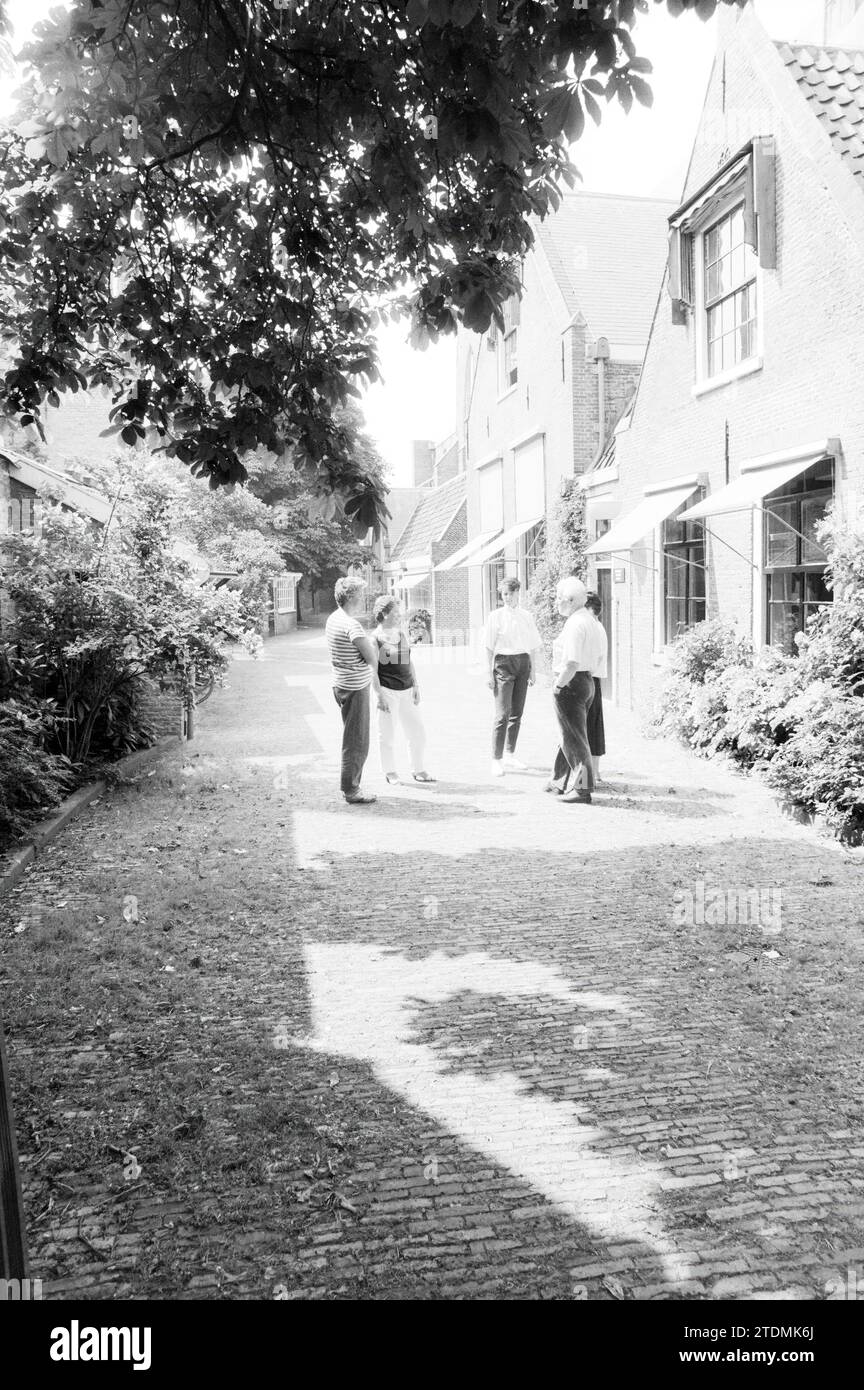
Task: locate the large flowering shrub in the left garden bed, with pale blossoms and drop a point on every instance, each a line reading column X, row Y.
column 102, row 611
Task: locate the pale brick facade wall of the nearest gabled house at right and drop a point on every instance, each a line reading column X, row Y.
column 809, row 386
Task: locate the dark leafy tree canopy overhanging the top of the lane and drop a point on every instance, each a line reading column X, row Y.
column 209, row 205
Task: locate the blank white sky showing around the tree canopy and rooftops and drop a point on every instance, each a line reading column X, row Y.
column 644, row 154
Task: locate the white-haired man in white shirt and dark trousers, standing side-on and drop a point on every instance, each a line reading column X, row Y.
column 576, row 657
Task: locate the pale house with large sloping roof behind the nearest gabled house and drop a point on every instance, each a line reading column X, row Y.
column 537, row 402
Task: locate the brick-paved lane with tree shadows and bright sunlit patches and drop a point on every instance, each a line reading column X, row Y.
column 465, row 1043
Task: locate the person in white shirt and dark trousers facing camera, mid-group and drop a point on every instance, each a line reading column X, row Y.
column 512, row 647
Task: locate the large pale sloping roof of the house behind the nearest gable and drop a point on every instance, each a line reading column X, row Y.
column 608, row 255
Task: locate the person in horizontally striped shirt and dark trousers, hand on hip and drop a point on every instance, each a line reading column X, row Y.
column 355, row 662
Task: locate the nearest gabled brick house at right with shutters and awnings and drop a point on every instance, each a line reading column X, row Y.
column 748, row 419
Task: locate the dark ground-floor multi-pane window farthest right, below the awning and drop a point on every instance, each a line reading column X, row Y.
column 795, row 562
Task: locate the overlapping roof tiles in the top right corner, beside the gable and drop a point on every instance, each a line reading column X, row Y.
column 833, row 83
